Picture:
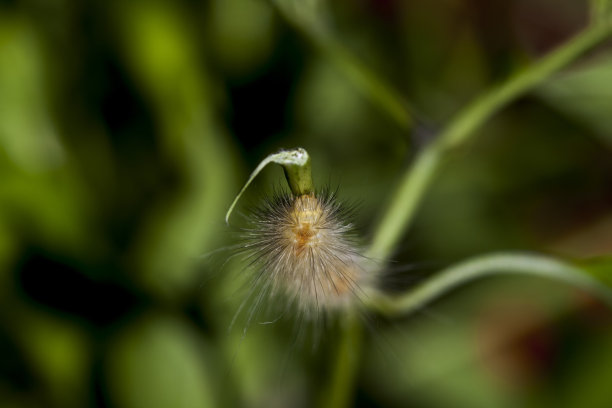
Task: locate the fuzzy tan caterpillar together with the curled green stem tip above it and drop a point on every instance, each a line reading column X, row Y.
column 301, row 244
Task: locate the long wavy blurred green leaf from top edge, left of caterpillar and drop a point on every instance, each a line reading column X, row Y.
column 162, row 56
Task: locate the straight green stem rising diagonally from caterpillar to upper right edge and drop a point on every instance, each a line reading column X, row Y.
column 417, row 178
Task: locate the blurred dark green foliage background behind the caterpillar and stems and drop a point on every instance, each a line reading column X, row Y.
column 126, row 128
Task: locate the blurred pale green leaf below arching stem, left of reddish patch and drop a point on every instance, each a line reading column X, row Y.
column 434, row 366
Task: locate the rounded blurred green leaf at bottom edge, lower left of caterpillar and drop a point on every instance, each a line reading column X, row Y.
column 159, row 362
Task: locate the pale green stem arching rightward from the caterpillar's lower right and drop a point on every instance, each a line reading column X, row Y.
column 488, row 265
